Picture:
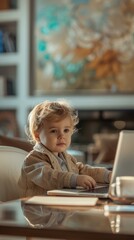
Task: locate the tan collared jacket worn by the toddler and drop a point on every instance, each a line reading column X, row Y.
column 42, row 172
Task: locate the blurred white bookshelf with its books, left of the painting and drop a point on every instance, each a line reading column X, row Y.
column 14, row 59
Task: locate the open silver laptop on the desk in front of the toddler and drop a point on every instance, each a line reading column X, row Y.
column 123, row 166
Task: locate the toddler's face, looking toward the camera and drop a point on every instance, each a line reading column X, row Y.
column 56, row 135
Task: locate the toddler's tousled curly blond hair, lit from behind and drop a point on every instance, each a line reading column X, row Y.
column 49, row 110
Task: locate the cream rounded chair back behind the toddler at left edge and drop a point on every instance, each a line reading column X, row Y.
column 11, row 160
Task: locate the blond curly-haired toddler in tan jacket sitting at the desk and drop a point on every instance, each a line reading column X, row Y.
column 48, row 166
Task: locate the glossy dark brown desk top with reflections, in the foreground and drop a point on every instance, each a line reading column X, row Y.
column 21, row 219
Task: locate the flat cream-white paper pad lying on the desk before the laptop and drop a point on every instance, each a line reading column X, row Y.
column 63, row 201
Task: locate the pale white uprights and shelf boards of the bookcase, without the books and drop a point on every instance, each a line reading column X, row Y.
column 17, row 61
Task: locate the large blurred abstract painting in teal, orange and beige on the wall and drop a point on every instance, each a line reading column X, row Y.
column 83, row 46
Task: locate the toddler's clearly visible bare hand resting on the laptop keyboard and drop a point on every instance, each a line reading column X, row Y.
column 85, row 181
